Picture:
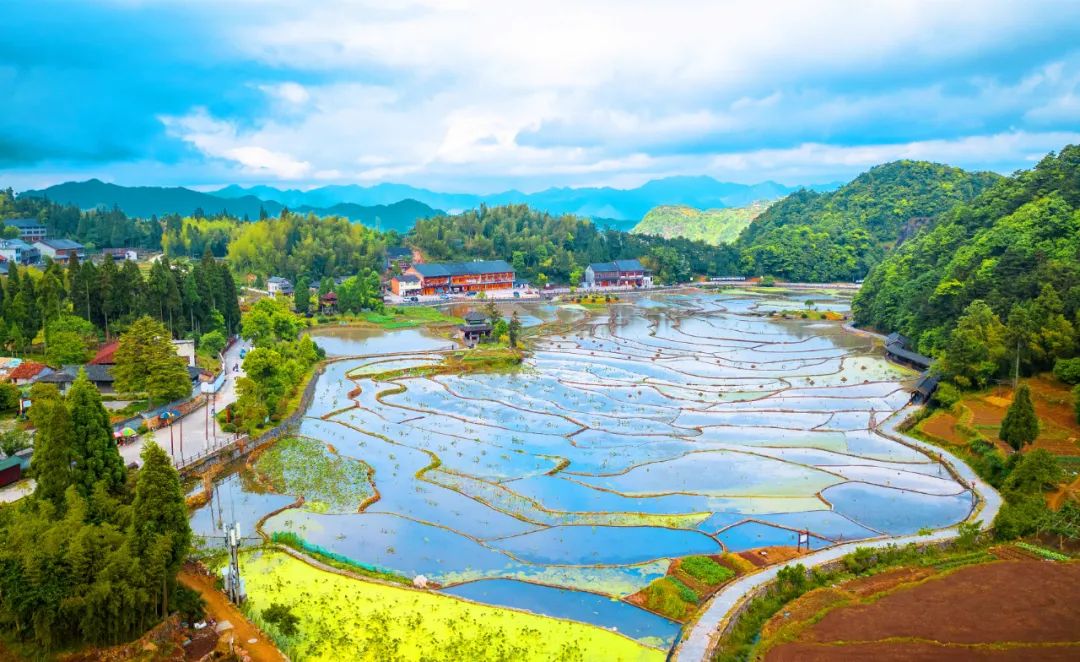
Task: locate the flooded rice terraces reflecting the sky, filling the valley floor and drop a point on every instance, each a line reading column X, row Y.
column 665, row 428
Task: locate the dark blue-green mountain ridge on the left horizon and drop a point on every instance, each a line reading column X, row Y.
column 147, row 201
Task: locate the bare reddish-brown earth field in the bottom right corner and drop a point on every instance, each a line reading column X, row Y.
column 1002, row 611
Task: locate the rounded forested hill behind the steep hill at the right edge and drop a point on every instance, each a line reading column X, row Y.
column 841, row 236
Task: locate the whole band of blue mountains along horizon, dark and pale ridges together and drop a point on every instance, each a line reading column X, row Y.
column 397, row 207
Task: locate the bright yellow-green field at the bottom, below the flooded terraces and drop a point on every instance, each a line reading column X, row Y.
column 347, row 619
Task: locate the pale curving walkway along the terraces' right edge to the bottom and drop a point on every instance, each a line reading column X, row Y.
column 698, row 643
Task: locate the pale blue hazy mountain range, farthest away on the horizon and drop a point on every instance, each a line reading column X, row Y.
column 609, row 205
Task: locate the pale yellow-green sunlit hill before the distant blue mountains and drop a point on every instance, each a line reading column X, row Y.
column 710, row 226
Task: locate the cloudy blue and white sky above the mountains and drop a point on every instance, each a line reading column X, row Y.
column 481, row 97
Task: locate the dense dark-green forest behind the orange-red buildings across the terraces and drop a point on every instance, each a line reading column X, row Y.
column 557, row 249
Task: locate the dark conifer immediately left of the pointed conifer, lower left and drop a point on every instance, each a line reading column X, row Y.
column 55, row 444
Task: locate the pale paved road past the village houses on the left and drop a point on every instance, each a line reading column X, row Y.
column 196, row 433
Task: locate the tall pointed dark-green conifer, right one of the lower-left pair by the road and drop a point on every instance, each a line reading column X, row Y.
column 97, row 457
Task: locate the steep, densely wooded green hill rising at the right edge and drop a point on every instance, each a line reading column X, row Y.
column 1016, row 248
